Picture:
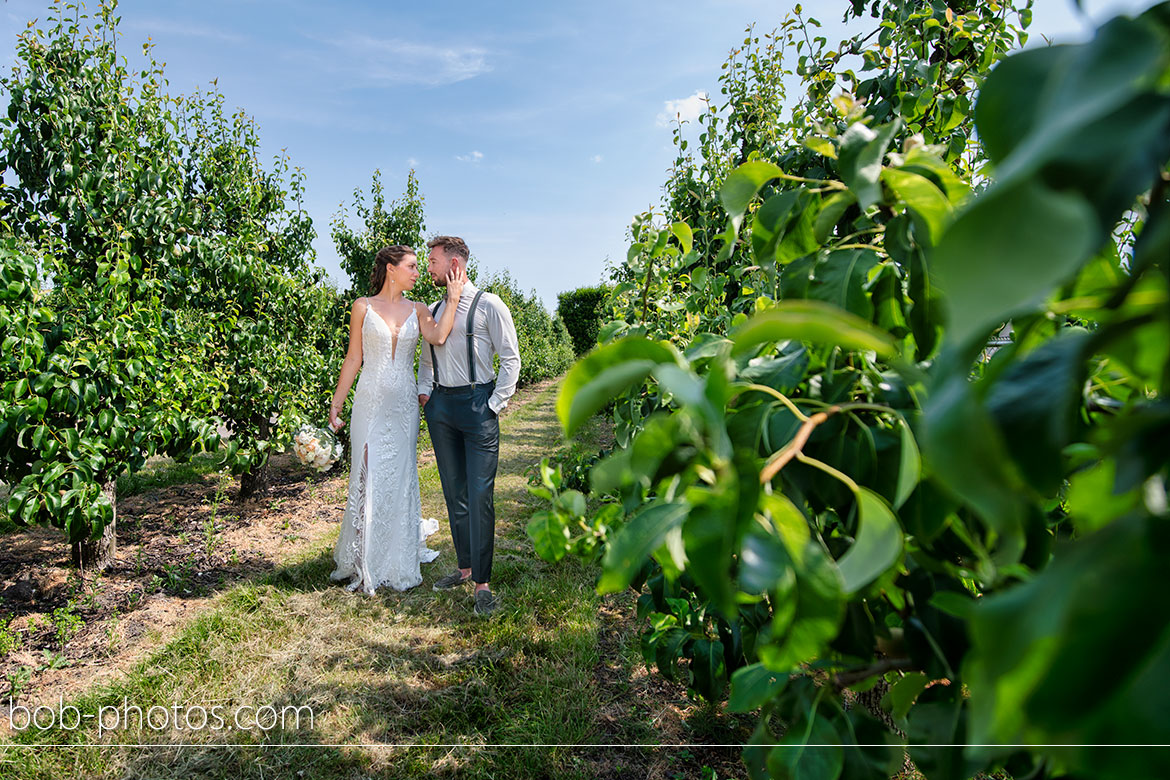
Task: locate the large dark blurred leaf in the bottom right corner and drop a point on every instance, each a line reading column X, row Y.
column 1092, row 615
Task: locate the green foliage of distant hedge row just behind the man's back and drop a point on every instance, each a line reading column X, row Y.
column 545, row 348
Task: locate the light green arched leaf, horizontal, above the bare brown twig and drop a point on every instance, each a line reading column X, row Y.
column 811, row 321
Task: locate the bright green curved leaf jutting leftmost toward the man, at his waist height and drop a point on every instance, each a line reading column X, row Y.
column 604, row 375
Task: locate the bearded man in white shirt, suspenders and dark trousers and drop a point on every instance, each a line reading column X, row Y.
column 463, row 401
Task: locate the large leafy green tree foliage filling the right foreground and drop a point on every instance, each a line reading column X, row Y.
column 780, row 361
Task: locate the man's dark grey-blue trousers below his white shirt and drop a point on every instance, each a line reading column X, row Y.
column 465, row 433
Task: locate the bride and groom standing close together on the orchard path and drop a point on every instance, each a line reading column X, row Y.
column 383, row 537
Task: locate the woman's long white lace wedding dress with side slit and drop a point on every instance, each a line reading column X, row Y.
column 383, row 539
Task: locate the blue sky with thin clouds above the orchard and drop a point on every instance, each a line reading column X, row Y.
column 538, row 130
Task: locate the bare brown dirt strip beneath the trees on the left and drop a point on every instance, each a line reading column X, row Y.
column 178, row 547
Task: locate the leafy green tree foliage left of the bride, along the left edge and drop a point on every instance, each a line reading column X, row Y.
column 156, row 279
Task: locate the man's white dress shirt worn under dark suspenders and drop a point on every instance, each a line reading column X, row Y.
column 495, row 334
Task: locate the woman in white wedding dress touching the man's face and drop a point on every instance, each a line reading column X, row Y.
column 383, row 533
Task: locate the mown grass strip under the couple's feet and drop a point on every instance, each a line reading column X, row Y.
column 416, row 667
